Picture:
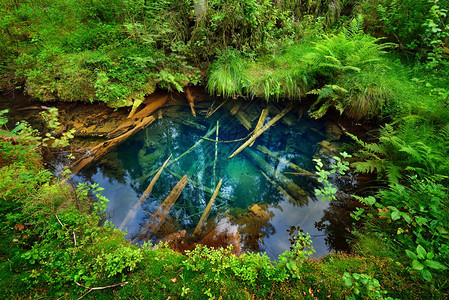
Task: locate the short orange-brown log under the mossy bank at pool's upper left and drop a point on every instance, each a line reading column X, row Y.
column 153, row 103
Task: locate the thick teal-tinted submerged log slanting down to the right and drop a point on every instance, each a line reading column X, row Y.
column 295, row 191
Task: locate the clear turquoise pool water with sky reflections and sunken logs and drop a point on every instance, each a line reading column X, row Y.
column 260, row 198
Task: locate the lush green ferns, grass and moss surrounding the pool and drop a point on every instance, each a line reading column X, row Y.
column 378, row 61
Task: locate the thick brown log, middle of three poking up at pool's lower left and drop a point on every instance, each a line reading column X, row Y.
column 157, row 219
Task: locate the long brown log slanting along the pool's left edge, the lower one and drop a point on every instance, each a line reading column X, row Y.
column 101, row 149
